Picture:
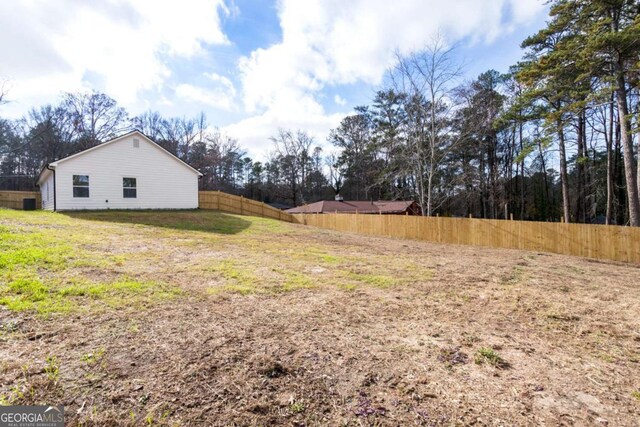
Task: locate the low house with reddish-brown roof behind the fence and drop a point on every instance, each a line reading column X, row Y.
column 380, row 207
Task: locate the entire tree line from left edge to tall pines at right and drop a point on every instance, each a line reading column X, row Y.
column 553, row 139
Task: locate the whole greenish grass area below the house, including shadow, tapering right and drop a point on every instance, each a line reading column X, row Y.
column 57, row 262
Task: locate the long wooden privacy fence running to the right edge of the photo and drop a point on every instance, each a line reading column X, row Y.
column 586, row 240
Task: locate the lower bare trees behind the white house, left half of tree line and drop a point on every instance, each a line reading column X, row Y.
column 293, row 173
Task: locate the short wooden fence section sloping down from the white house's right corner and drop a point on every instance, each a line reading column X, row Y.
column 220, row 201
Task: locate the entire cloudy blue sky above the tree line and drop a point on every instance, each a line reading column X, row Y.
column 251, row 65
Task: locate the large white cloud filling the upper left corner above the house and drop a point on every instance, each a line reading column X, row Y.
column 49, row 47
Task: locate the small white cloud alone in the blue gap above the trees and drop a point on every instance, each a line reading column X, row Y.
column 221, row 96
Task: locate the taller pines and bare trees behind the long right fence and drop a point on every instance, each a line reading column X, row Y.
column 551, row 140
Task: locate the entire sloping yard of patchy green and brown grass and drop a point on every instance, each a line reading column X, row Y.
column 206, row 318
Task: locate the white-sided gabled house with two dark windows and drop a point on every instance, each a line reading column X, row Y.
column 128, row 172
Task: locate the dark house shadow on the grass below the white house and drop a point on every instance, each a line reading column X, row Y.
column 194, row 220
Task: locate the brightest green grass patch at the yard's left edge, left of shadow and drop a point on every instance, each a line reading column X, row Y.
column 43, row 259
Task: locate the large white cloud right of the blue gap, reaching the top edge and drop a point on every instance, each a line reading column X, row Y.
column 333, row 42
